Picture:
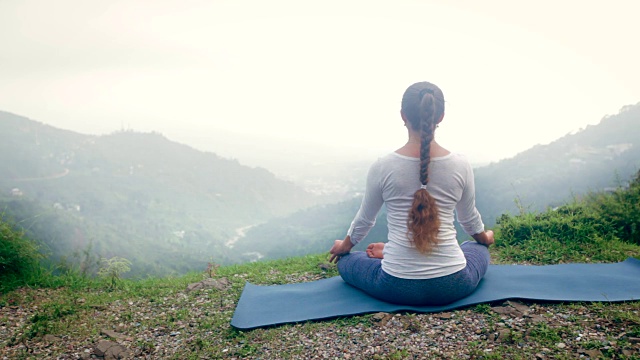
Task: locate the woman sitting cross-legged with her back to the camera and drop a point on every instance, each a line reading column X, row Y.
column 421, row 185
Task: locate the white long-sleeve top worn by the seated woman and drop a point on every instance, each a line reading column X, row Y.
column 392, row 180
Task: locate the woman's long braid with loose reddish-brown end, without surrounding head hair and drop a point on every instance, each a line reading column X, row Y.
column 423, row 221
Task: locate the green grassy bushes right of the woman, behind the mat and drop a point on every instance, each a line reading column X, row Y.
column 602, row 228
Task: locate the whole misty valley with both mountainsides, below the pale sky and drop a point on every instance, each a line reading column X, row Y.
column 170, row 209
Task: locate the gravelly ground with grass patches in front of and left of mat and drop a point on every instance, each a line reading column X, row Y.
column 194, row 323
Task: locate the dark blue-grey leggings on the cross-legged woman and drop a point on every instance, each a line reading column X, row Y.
column 366, row 274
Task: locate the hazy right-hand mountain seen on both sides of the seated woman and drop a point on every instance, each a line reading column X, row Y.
column 599, row 157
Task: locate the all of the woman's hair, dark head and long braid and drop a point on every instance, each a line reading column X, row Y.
column 423, row 107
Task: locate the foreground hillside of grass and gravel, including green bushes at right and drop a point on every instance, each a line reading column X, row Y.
column 189, row 318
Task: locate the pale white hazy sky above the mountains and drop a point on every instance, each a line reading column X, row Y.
column 255, row 75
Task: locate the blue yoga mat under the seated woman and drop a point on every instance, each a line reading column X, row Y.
column 279, row 304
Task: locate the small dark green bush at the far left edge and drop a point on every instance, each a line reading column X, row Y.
column 19, row 258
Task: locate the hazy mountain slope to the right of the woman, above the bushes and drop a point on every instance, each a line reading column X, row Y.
column 596, row 158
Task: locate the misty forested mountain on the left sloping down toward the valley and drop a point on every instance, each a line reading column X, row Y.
column 165, row 206
